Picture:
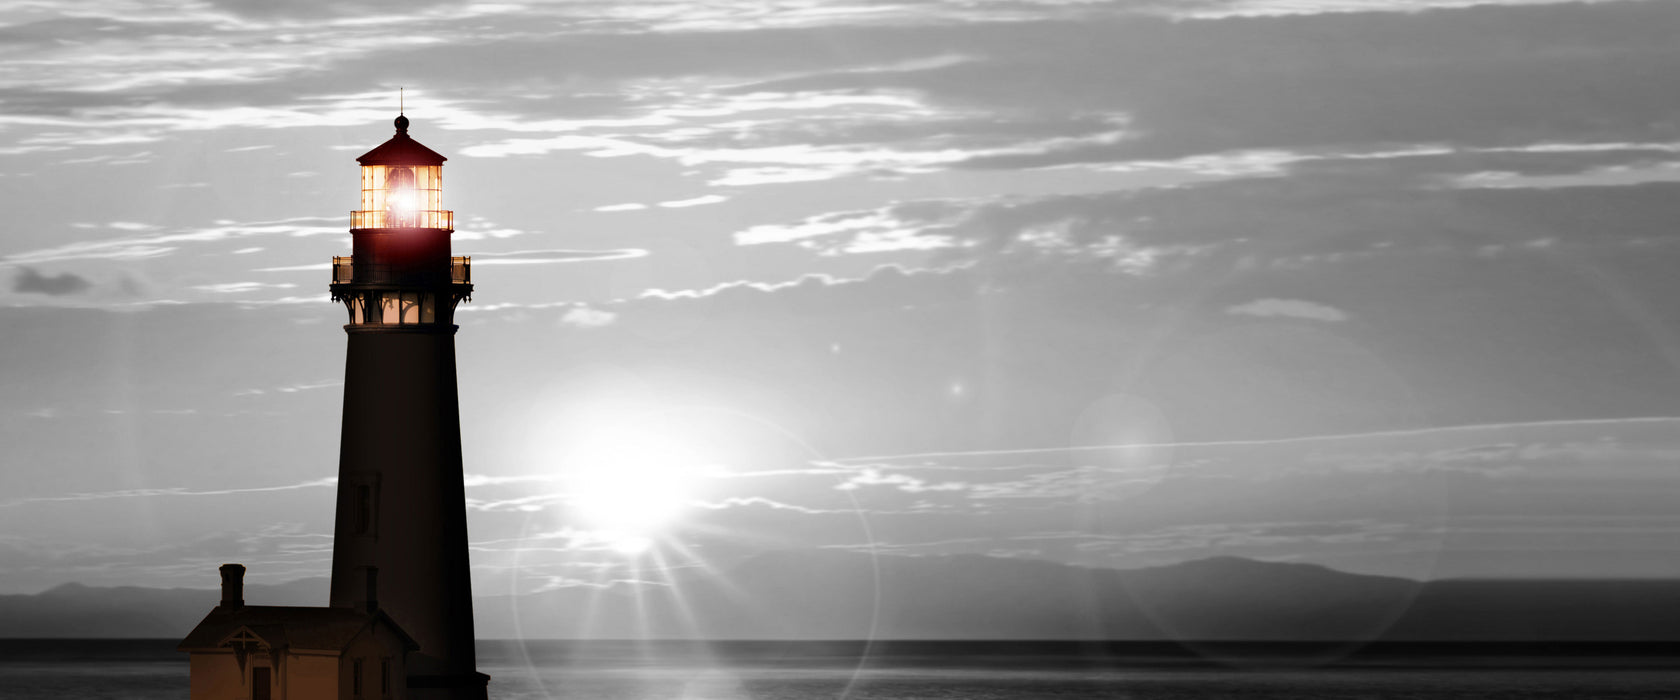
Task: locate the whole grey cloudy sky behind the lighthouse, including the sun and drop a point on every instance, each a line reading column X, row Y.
column 1382, row 286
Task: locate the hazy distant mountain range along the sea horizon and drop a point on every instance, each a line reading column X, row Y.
column 816, row 595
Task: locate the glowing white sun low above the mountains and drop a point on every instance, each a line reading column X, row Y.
column 629, row 483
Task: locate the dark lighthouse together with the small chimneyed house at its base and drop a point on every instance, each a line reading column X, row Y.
column 401, row 499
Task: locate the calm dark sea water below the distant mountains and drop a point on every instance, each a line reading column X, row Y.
column 802, row 671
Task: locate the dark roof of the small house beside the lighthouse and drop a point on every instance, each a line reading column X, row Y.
column 281, row 627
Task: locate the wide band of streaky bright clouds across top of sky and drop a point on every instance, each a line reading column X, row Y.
column 898, row 90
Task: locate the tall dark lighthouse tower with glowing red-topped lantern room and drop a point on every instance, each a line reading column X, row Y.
column 402, row 523
